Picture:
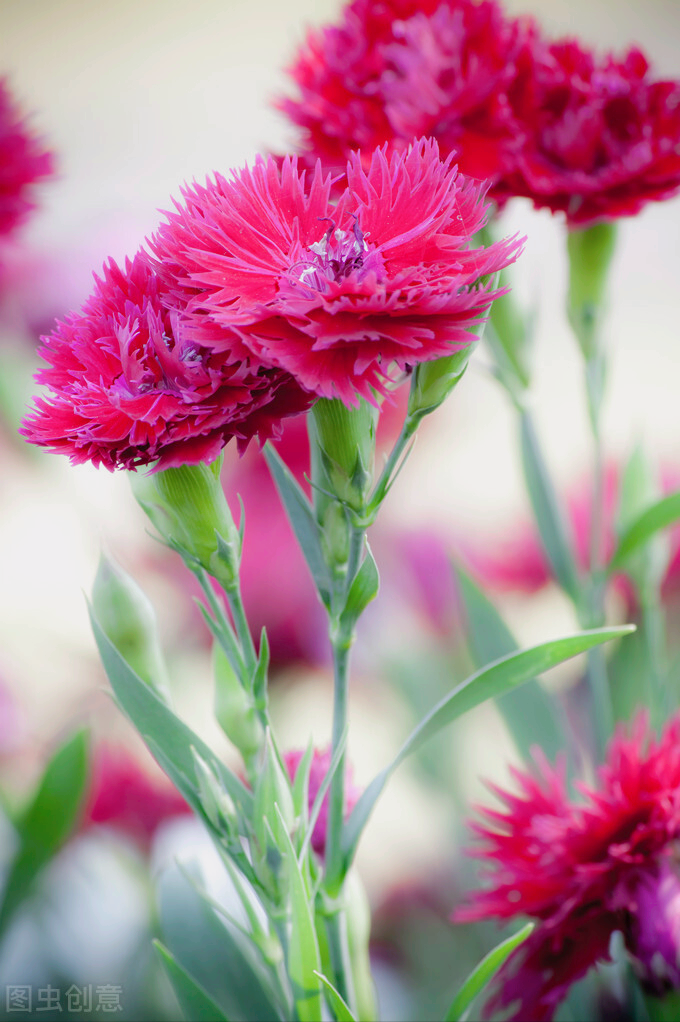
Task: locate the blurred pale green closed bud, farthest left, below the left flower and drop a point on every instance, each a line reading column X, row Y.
column 127, row 618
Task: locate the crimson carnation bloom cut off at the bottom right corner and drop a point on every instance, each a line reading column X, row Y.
column 585, row 870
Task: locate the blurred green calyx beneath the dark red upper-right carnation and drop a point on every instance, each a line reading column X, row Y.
column 591, row 253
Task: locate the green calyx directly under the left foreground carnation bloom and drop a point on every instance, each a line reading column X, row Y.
column 189, row 508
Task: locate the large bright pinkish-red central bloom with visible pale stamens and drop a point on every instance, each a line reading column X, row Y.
column 341, row 294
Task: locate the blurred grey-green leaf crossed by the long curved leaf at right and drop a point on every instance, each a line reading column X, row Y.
column 530, row 714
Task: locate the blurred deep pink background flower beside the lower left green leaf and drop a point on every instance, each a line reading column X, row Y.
column 124, row 797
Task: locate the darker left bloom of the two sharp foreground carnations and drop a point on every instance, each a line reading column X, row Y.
column 129, row 388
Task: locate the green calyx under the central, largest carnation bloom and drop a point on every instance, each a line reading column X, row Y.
column 344, row 440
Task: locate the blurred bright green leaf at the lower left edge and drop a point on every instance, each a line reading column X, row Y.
column 49, row 821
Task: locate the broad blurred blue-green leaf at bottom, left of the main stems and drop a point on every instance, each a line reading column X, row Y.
column 218, row 958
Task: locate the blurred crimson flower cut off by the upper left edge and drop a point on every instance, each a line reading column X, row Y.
column 24, row 161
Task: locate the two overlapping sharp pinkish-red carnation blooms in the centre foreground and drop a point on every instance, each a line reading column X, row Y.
column 261, row 294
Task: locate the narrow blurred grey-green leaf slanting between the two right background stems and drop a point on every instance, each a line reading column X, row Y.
column 548, row 512
